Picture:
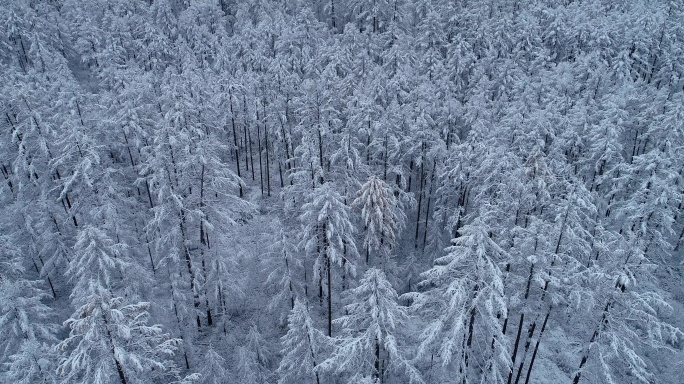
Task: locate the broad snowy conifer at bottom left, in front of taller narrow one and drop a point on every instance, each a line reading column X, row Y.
column 110, row 339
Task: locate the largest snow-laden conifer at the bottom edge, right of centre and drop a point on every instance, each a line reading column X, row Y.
column 463, row 306
